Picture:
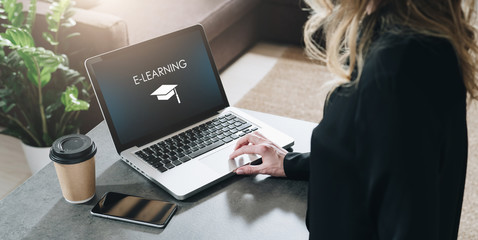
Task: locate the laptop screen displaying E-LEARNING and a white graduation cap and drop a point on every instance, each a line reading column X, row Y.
column 157, row 87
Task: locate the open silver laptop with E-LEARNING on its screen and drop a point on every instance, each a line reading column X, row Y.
column 167, row 112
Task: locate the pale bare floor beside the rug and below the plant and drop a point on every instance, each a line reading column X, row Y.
column 238, row 79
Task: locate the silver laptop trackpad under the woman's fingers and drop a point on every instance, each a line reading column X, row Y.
column 220, row 162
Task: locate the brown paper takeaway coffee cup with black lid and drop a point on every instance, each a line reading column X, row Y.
column 74, row 159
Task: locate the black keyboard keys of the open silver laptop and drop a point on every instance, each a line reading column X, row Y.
column 194, row 142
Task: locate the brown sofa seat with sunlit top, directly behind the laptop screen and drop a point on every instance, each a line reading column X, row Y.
column 148, row 19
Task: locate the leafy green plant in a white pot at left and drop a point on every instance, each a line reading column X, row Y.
column 39, row 93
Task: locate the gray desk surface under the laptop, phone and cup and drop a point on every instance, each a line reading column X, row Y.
column 241, row 207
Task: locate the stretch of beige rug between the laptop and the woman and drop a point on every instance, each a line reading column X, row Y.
column 292, row 88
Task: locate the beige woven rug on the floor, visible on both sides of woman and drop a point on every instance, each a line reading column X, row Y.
column 295, row 88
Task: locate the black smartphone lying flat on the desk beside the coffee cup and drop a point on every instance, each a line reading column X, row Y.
column 123, row 207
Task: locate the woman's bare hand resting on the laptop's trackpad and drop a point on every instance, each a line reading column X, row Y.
column 272, row 155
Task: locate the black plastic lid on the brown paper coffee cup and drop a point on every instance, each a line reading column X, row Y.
column 71, row 149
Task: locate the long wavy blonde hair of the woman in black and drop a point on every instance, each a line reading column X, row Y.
column 339, row 21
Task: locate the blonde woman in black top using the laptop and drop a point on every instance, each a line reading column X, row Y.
column 388, row 159
